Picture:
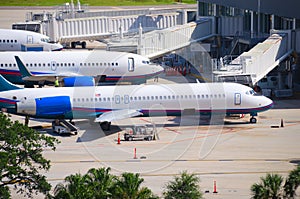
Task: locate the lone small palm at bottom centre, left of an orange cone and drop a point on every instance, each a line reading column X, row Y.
column 184, row 186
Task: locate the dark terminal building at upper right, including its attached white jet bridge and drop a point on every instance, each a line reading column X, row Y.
column 257, row 43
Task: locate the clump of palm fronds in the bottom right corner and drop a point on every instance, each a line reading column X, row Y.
column 273, row 186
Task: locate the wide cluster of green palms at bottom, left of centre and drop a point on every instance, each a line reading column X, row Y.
column 99, row 184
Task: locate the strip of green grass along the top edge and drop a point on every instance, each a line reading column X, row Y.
column 92, row 2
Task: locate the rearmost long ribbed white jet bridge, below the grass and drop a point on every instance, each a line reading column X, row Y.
column 71, row 28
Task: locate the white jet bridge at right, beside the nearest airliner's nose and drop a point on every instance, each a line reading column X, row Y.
column 252, row 66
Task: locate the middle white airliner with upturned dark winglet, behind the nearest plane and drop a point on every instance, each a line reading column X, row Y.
column 105, row 65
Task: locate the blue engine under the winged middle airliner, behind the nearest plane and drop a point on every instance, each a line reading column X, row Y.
column 78, row 81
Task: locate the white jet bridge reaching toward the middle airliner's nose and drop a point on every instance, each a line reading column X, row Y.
column 159, row 42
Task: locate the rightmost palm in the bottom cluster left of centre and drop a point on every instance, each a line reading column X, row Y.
column 128, row 187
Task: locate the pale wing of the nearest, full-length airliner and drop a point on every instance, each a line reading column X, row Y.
column 118, row 115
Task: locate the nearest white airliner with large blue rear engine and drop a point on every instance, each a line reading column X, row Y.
column 105, row 104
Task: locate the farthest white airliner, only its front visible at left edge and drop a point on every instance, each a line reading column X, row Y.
column 12, row 40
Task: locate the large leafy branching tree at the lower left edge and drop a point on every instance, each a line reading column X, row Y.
column 21, row 158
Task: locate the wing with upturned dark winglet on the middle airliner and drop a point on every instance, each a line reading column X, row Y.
column 28, row 76
